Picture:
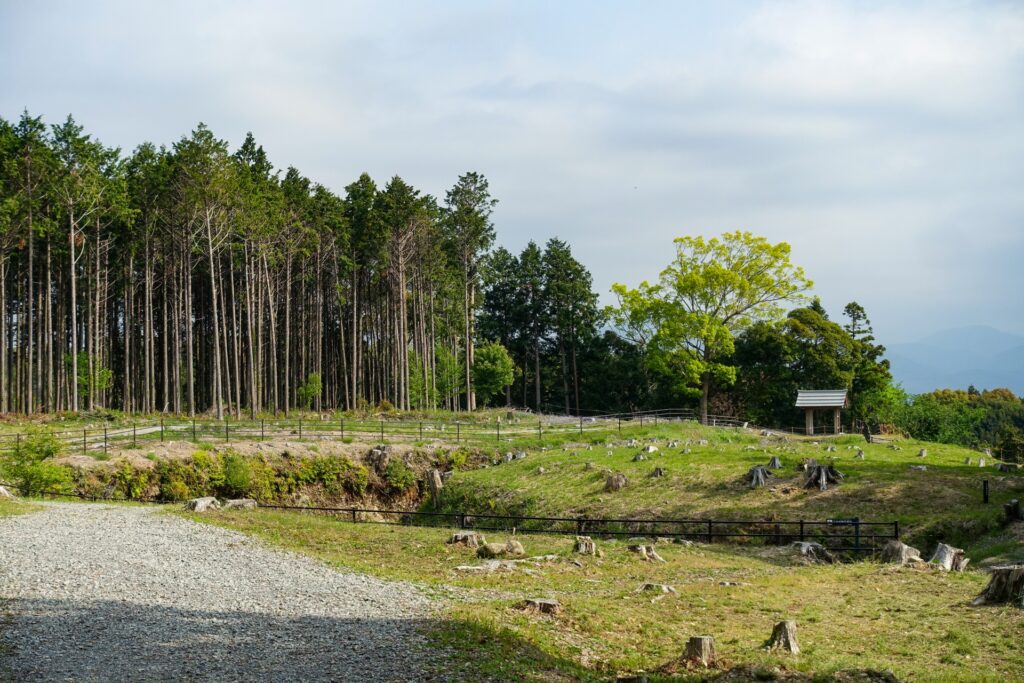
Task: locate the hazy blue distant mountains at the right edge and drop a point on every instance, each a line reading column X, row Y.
column 957, row 359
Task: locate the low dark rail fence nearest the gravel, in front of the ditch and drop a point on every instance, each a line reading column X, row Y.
column 846, row 535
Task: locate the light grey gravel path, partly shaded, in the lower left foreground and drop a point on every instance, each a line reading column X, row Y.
column 117, row 593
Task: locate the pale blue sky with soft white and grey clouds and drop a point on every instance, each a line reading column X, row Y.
column 884, row 142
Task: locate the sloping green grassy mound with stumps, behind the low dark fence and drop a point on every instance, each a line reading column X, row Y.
column 943, row 502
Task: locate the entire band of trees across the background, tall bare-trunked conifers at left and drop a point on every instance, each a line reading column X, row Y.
column 200, row 280
